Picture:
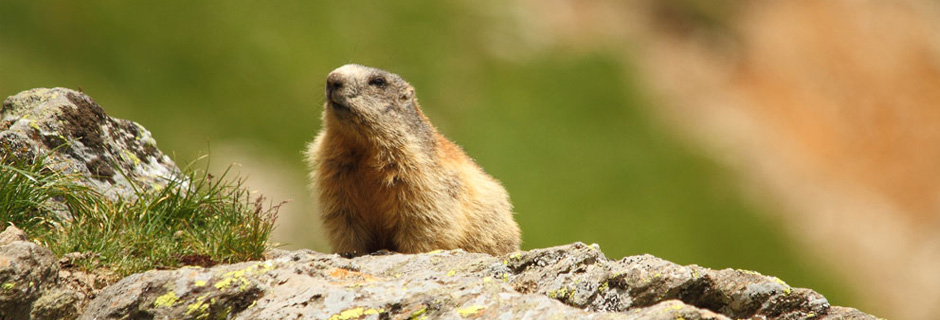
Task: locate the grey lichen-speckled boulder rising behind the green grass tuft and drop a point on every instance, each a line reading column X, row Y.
column 114, row 155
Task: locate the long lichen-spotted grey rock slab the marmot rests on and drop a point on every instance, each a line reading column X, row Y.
column 568, row 282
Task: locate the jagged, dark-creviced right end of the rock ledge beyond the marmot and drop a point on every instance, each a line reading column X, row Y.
column 581, row 276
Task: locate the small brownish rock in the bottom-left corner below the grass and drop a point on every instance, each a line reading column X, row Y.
column 26, row 271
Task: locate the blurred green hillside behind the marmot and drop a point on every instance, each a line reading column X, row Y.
column 569, row 132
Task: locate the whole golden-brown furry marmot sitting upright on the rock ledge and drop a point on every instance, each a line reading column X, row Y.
column 386, row 179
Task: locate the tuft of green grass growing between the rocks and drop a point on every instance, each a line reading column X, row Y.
column 204, row 221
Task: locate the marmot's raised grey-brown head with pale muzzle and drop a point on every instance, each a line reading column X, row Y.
column 373, row 103
